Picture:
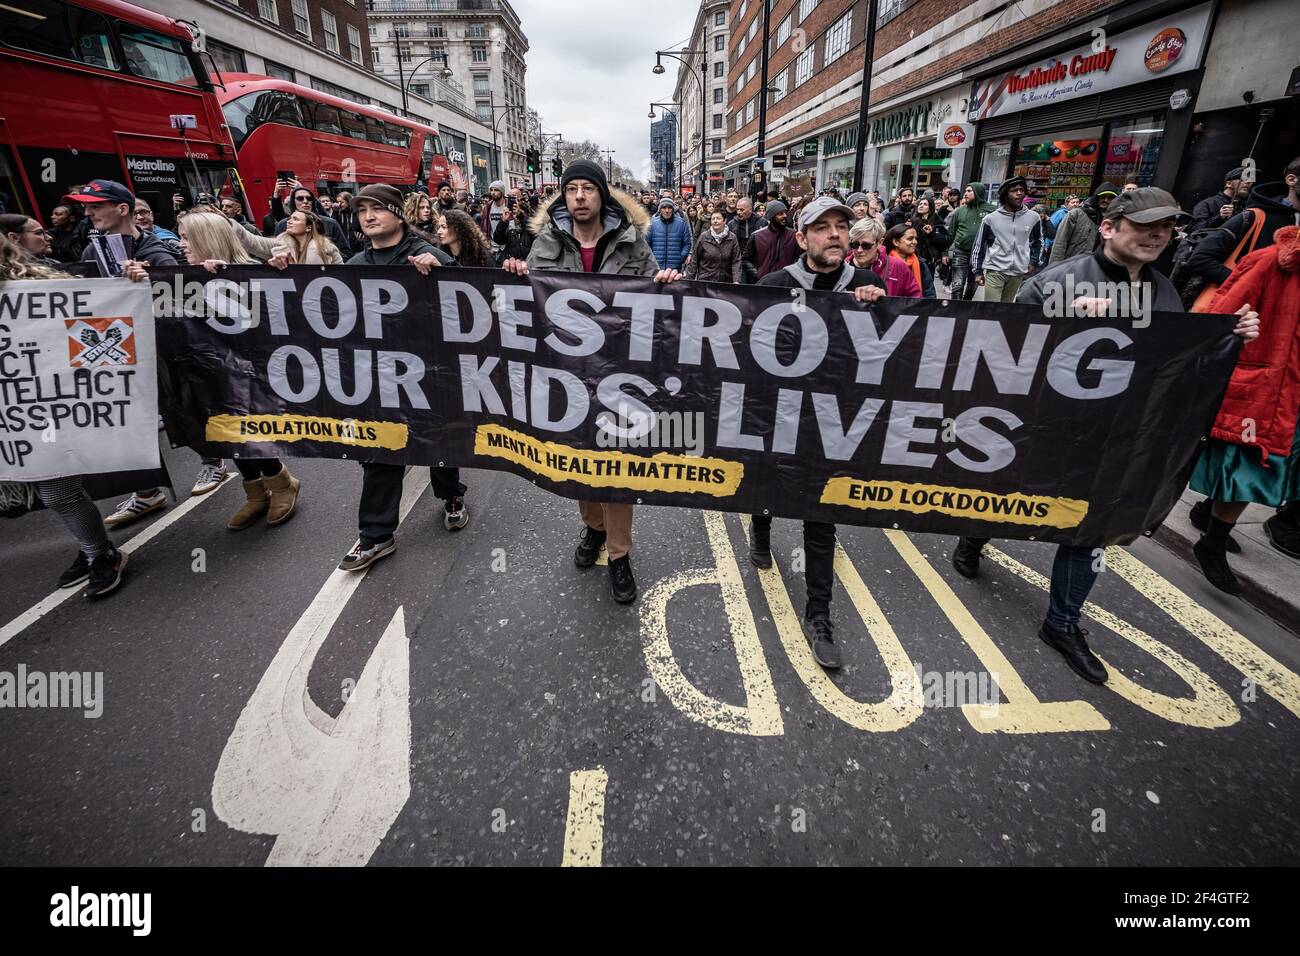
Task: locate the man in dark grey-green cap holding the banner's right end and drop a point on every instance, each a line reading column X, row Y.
column 1136, row 230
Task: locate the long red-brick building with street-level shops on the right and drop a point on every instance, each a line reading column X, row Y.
column 1067, row 92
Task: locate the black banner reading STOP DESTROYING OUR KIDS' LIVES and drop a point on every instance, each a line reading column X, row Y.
column 925, row 416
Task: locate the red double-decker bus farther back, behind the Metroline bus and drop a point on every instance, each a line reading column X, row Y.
column 326, row 142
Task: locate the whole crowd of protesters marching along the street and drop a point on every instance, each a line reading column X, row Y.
column 1240, row 253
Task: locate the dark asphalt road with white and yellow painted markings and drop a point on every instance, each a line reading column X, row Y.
column 475, row 699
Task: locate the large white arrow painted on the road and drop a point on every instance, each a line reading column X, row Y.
column 328, row 789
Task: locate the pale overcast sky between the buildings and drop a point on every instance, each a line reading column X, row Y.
column 590, row 68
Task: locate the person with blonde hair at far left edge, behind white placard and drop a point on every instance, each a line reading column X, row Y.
column 98, row 561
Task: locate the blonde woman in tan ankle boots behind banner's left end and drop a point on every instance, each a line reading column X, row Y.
column 207, row 240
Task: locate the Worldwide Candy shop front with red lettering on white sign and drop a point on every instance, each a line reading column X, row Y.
column 1110, row 111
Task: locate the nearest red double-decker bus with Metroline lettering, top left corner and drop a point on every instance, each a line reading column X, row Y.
column 101, row 89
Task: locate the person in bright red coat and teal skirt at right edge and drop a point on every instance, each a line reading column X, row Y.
column 1254, row 451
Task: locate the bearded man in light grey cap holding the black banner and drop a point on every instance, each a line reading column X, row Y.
column 826, row 266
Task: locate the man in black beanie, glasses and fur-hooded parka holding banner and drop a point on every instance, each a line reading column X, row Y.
column 593, row 230
